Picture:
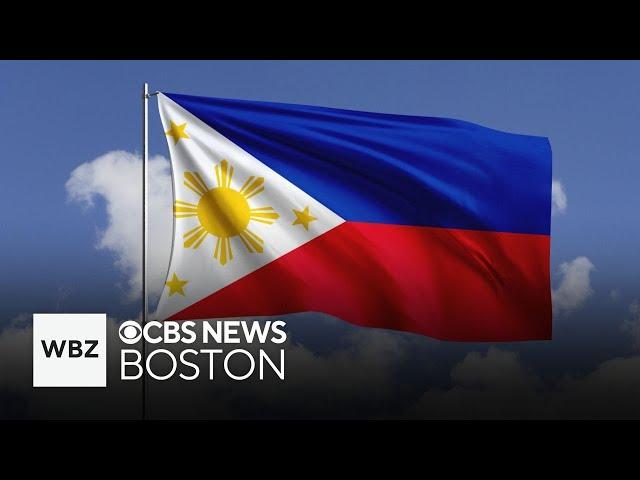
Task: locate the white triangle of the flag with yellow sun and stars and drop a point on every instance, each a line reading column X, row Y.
column 196, row 148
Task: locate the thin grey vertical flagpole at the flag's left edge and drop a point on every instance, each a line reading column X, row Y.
column 145, row 306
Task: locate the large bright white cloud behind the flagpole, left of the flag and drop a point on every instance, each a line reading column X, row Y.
column 115, row 177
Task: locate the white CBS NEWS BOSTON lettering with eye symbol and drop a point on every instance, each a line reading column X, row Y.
column 187, row 364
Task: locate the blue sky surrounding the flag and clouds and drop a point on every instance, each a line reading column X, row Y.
column 57, row 116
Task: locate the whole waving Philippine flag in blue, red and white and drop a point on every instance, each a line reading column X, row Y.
column 427, row 225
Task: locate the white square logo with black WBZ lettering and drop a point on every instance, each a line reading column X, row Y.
column 69, row 350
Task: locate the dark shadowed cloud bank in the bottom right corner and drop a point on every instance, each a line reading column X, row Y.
column 498, row 386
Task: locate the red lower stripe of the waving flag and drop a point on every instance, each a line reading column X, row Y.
column 449, row 284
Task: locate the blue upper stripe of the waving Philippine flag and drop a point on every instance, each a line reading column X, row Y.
column 394, row 169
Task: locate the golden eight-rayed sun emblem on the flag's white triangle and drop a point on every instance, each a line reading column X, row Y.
column 224, row 212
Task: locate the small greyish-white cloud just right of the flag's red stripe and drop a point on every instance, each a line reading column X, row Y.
column 575, row 285
